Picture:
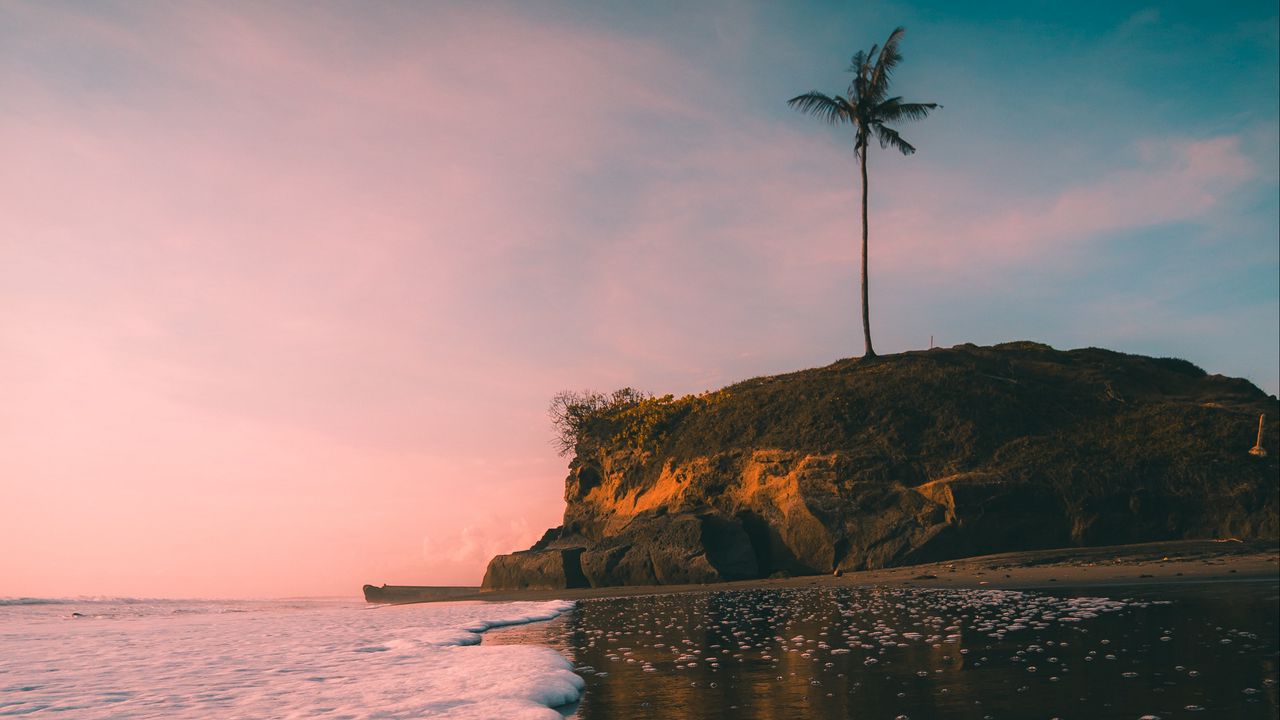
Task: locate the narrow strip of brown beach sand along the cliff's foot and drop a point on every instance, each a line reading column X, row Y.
column 1159, row 563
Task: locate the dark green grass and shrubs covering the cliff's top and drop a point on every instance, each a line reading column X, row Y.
column 930, row 413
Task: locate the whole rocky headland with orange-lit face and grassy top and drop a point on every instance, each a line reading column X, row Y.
column 912, row 458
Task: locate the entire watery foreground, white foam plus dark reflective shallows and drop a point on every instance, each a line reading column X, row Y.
column 1206, row 650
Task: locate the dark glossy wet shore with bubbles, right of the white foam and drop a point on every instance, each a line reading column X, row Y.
column 922, row 654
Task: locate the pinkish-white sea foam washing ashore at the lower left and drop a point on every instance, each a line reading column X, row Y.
column 99, row 659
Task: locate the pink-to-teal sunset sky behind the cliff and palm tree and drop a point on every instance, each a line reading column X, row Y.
column 286, row 288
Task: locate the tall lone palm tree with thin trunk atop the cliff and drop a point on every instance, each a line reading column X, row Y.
column 868, row 107
